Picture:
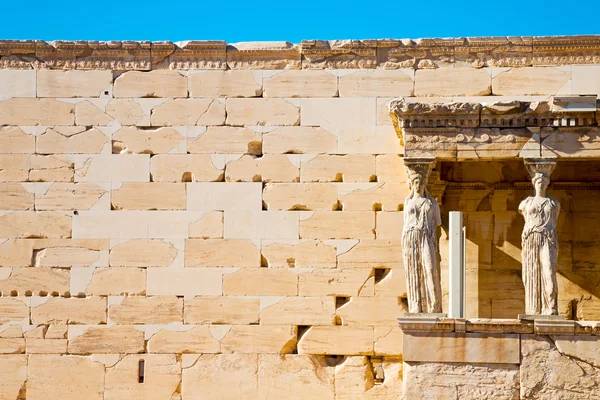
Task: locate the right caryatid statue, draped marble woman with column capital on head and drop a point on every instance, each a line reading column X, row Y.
column 540, row 242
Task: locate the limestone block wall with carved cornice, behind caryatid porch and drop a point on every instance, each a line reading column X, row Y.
column 231, row 215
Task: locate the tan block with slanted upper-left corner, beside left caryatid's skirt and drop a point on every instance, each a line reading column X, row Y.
column 373, row 253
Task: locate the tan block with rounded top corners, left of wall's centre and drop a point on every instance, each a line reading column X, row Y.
column 143, row 253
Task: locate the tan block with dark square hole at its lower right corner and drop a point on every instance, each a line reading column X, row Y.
column 226, row 139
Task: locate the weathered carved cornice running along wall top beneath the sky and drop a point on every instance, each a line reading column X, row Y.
column 321, row 54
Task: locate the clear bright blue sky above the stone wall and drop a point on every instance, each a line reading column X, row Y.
column 292, row 21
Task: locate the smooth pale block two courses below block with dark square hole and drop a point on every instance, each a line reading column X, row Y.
column 224, row 196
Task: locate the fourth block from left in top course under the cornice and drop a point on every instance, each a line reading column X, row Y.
column 225, row 83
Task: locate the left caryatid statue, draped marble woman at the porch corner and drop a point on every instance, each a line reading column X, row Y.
column 419, row 241
